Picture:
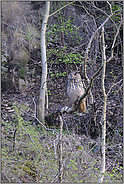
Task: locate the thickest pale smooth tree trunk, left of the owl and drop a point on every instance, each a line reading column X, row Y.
column 41, row 106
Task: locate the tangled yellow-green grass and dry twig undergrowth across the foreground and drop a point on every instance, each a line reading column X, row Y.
column 29, row 154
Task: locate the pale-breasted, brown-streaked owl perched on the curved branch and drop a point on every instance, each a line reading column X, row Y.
column 75, row 90
